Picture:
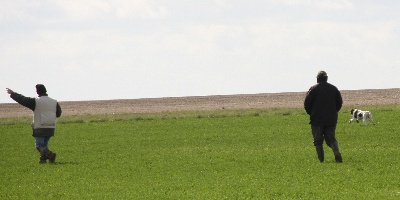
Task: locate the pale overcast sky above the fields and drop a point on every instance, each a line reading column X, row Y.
column 129, row 49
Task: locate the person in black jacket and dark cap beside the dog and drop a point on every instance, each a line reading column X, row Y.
column 323, row 102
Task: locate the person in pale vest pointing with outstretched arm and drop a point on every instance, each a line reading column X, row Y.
column 45, row 111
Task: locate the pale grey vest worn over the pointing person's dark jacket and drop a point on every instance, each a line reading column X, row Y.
column 44, row 115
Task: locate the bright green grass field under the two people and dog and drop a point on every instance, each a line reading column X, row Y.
column 243, row 154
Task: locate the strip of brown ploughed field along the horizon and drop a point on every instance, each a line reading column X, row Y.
column 355, row 98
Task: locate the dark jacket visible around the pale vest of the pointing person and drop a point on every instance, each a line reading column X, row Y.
column 30, row 103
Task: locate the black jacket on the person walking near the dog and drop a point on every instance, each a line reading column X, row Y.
column 323, row 102
